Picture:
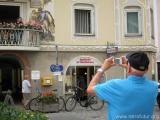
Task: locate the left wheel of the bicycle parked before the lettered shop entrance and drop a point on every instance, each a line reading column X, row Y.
column 71, row 103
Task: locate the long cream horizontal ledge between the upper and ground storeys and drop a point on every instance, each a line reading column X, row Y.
column 95, row 48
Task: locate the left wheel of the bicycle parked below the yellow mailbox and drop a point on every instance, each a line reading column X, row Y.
column 33, row 104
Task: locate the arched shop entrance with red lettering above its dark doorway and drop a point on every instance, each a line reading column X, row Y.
column 80, row 72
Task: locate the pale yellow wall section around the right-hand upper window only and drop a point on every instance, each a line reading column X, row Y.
column 145, row 39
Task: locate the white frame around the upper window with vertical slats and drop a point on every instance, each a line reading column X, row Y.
column 90, row 7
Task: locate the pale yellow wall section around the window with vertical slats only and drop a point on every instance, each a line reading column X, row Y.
column 104, row 20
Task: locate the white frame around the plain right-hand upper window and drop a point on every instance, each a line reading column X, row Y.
column 138, row 10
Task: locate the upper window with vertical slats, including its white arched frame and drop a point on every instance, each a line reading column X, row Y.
column 84, row 19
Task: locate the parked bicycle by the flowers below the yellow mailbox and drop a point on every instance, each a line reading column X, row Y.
column 47, row 102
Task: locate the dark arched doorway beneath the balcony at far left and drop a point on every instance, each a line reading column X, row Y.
column 10, row 77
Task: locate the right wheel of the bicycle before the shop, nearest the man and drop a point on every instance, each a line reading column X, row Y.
column 95, row 103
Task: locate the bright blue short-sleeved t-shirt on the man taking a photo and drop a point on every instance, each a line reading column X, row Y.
column 129, row 99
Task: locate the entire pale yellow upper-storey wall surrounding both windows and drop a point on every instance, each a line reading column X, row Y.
column 105, row 28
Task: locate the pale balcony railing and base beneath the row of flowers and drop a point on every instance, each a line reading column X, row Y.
column 20, row 39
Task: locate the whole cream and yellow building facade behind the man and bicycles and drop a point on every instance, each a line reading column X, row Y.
column 76, row 34
